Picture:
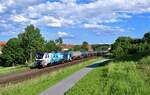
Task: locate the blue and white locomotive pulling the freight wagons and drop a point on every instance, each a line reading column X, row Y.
column 44, row 59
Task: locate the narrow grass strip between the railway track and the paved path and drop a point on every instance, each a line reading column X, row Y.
column 37, row 85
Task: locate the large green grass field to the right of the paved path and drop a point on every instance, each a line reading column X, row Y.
column 119, row 78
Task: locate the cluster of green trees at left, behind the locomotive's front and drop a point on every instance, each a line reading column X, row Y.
column 22, row 49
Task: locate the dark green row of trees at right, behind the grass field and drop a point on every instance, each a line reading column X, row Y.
column 125, row 46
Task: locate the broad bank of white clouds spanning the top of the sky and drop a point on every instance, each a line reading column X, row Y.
column 69, row 13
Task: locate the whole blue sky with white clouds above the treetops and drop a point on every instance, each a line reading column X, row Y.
column 94, row 21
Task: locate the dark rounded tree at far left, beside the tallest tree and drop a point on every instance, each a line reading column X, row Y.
column 12, row 53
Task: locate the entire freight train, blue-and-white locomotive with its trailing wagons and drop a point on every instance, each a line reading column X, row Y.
column 53, row 58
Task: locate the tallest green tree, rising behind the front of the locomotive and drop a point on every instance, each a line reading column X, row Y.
column 31, row 41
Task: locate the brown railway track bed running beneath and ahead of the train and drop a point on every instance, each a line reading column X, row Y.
column 15, row 78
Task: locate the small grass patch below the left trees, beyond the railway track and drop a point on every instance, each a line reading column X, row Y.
column 14, row 69
